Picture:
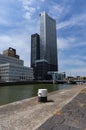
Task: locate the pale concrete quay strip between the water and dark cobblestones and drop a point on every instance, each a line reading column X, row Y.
column 29, row 114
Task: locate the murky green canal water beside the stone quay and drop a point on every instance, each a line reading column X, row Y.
column 10, row 94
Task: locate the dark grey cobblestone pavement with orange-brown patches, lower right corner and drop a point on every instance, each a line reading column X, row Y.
column 71, row 117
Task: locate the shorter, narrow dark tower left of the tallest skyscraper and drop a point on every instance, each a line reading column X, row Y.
column 35, row 48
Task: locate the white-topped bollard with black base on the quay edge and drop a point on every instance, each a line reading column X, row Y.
column 42, row 95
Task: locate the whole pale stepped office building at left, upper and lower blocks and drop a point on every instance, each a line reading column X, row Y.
column 13, row 69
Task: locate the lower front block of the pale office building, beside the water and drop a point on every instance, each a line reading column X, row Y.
column 12, row 73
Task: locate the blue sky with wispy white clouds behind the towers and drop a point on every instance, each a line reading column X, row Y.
column 20, row 18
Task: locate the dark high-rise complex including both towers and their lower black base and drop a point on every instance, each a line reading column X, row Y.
column 44, row 51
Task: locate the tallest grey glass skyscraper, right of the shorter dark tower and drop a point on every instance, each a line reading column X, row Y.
column 48, row 41
